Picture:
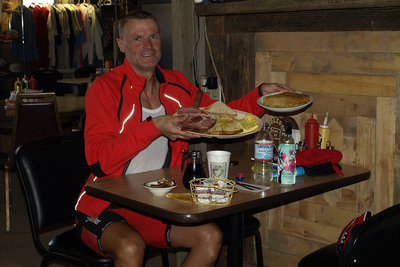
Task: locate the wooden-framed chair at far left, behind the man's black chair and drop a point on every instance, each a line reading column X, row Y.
column 36, row 117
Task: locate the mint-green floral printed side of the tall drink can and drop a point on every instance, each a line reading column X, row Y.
column 287, row 163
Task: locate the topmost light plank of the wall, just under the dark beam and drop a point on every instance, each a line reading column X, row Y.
column 313, row 43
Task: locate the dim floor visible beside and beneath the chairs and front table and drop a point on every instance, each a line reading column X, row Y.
column 17, row 249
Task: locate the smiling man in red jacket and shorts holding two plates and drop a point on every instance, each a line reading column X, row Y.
column 130, row 128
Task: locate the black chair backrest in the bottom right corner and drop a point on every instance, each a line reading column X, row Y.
column 375, row 242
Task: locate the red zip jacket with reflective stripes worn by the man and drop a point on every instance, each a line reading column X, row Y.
column 112, row 120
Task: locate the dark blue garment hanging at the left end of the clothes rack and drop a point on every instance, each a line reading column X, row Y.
column 30, row 46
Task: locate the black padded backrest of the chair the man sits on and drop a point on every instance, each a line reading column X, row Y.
column 52, row 172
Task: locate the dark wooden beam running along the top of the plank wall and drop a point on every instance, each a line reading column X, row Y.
column 364, row 19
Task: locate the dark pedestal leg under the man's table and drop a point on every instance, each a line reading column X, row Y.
column 235, row 246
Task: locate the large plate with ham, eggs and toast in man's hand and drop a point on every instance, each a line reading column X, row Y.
column 220, row 121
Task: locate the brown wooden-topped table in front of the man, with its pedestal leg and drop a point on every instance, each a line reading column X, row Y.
column 128, row 191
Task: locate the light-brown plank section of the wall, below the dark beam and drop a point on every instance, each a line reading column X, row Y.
column 353, row 76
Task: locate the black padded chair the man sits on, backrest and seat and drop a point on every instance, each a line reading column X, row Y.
column 52, row 172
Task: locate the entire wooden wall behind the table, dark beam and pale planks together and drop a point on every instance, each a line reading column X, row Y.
column 348, row 60
